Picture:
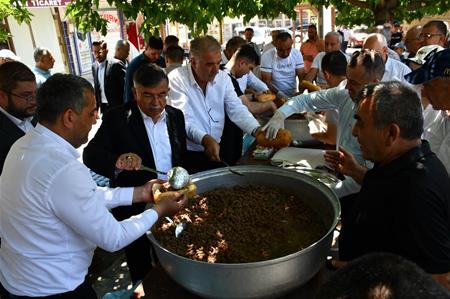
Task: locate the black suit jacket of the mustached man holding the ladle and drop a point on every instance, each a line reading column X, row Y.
column 123, row 131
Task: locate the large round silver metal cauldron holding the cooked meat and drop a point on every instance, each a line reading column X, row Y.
column 267, row 279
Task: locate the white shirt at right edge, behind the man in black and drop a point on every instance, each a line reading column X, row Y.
column 438, row 135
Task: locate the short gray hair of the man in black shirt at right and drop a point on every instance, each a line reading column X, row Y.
column 395, row 103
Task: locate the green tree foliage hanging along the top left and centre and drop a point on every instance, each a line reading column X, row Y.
column 196, row 14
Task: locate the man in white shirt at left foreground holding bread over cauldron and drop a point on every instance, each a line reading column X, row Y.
column 53, row 215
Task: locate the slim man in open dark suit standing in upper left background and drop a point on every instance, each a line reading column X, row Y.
column 109, row 77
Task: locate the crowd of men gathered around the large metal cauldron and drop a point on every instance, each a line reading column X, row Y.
column 387, row 113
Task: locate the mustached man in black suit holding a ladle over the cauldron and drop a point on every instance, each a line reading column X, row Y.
column 141, row 132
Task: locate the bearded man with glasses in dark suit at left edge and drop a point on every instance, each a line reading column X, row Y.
column 17, row 104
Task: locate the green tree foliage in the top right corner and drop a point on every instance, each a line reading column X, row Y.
column 374, row 12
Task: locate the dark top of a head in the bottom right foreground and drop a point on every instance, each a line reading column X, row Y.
column 384, row 274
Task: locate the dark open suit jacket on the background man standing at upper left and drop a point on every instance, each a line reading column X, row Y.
column 114, row 82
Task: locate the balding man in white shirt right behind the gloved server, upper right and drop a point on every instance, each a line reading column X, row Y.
column 394, row 69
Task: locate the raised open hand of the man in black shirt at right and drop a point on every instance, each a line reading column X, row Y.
column 344, row 162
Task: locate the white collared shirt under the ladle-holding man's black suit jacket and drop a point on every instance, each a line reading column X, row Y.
column 158, row 135
